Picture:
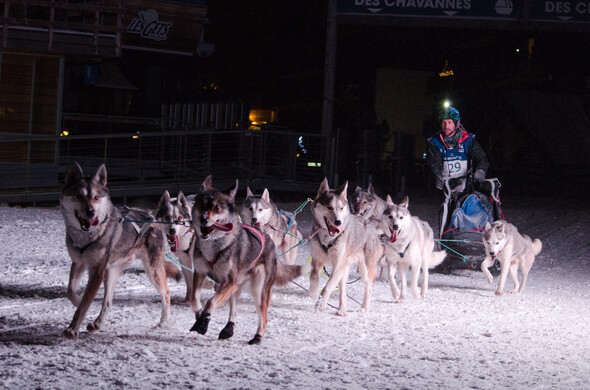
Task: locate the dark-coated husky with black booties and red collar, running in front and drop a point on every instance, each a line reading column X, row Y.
column 232, row 254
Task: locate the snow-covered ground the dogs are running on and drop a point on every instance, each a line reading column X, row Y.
column 461, row 336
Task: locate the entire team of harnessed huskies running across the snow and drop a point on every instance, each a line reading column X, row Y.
column 222, row 246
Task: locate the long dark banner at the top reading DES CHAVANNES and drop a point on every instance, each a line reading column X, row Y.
column 470, row 9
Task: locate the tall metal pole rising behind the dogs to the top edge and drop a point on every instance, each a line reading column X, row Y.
column 328, row 101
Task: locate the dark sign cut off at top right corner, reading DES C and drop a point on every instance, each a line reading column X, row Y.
column 574, row 11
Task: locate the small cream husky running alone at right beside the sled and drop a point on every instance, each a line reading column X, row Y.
column 504, row 243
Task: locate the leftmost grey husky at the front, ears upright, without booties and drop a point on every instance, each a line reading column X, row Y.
column 99, row 241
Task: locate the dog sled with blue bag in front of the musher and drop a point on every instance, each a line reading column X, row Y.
column 462, row 219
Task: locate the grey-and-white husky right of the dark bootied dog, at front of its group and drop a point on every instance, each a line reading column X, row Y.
column 340, row 240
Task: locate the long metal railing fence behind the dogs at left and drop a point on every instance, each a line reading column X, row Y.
column 145, row 156
